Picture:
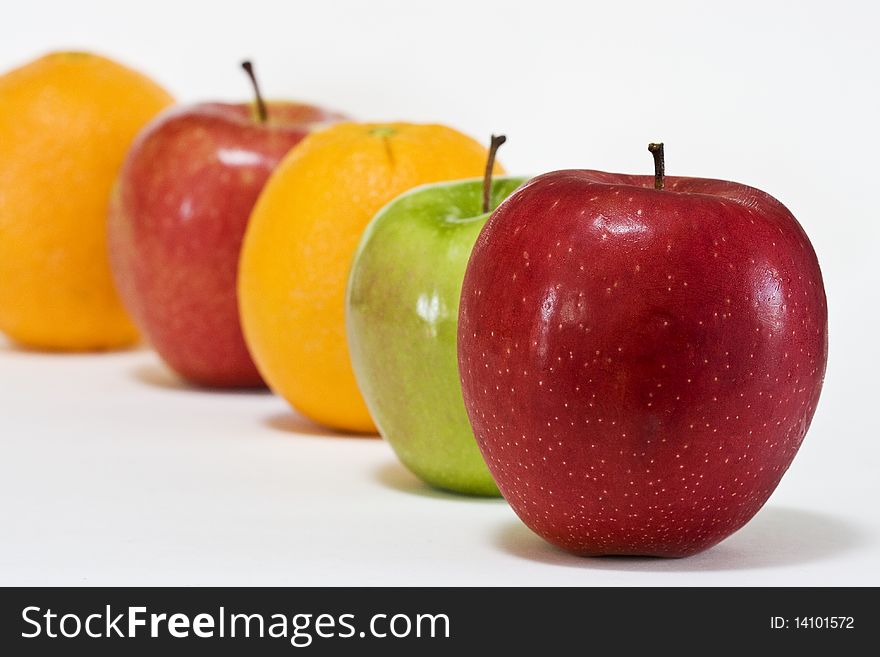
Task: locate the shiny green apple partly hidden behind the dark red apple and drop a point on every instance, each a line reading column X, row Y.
column 402, row 321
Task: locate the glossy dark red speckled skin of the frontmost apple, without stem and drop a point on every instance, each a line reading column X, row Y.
column 640, row 366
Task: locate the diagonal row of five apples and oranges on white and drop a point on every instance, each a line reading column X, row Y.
column 632, row 360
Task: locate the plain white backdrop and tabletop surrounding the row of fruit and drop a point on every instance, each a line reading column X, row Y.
column 111, row 472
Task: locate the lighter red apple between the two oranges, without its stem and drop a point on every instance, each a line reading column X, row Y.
column 177, row 219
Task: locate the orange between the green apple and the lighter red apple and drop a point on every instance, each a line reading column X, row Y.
column 300, row 241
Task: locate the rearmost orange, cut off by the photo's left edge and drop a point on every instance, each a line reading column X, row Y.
column 66, row 122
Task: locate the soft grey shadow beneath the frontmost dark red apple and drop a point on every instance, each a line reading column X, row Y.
column 776, row 536
